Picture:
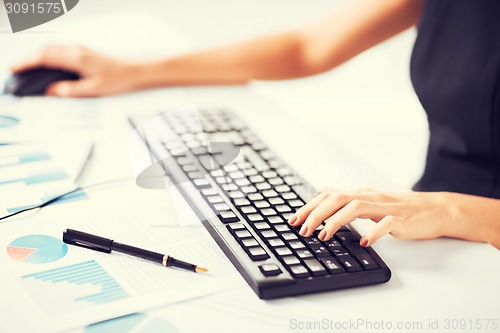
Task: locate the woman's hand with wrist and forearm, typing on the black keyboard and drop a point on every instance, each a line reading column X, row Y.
column 413, row 215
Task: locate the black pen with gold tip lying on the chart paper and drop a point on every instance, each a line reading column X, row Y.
column 82, row 239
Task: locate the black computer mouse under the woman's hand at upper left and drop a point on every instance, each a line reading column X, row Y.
column 34, row 82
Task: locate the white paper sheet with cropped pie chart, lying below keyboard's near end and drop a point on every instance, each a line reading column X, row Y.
column 238, row 310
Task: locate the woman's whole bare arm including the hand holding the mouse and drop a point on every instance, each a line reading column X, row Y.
column 314, row 49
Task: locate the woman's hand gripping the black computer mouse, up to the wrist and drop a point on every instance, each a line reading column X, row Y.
column 100, row 75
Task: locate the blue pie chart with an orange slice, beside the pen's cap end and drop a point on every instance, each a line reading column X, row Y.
column 37, row 249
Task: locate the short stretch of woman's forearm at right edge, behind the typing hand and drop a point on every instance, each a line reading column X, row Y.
column 474, row 218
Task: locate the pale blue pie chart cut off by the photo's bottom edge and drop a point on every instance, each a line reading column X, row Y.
column 135, row 322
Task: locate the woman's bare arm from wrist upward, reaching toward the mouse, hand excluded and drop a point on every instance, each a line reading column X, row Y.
column 315, row 49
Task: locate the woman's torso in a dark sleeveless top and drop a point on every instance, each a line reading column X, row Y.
column 455, row 70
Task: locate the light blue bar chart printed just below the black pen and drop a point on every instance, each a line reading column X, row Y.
column 89, row 272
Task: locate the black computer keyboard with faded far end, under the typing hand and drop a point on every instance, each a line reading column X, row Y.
column 244, row 195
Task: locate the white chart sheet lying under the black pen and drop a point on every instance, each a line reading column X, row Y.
column 63, row 287
